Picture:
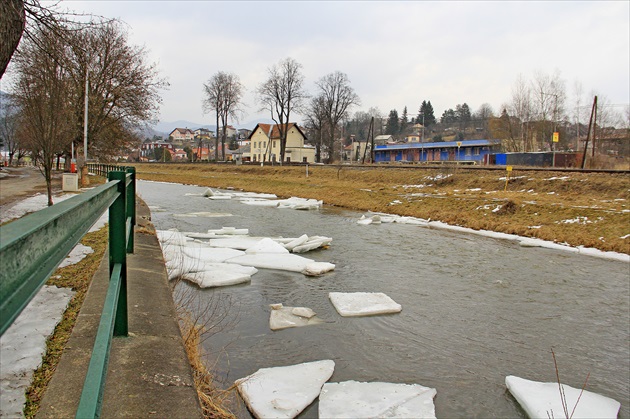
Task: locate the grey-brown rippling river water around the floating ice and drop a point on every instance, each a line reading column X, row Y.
column 475, row 309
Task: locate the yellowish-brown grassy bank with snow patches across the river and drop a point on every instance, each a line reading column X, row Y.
column 588, row 209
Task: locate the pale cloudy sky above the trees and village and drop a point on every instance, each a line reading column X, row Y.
column 395, row 54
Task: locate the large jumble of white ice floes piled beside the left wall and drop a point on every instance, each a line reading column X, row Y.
column 229, row 256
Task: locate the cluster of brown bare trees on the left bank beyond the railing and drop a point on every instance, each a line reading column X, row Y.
column 55, row 67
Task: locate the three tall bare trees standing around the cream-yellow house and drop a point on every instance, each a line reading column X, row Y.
column 284, row 95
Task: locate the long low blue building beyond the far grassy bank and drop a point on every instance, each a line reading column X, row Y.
column 464, row 151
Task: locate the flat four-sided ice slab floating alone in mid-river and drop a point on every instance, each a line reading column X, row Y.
column 351, row 304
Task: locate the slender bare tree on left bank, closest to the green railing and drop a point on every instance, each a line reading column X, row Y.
column 45, row 108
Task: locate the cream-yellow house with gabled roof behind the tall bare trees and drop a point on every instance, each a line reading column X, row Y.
column 265, row 144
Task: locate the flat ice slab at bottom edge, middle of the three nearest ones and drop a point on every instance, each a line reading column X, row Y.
column 352, row 399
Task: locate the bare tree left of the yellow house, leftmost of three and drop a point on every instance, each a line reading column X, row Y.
column 223, row 94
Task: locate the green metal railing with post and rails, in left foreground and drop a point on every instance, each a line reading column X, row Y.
column 32, row 247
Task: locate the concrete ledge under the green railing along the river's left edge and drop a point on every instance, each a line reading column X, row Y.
column 148, row 374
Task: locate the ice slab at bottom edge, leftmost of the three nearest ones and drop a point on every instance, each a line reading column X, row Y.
column 283, row 392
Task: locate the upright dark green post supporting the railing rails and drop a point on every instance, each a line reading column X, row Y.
column 118, row 249
